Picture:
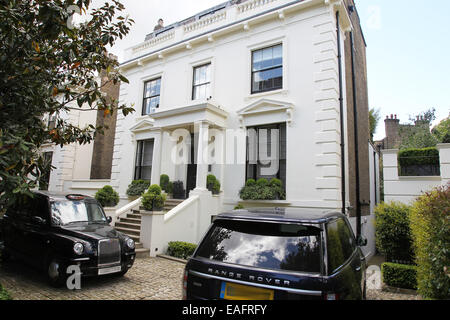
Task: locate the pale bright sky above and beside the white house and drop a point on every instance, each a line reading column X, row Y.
column 408, row 48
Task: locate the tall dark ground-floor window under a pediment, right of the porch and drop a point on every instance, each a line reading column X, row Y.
column 266, row 152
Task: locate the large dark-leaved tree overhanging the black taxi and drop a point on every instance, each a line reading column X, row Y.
column 48, row 67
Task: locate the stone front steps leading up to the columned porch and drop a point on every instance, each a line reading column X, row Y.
column 131, row 226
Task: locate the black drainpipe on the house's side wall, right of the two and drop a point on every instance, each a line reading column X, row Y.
column 355, row 128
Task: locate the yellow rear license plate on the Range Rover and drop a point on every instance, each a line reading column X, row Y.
column 233, row 291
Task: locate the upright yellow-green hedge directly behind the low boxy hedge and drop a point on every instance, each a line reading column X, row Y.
column 393, row 233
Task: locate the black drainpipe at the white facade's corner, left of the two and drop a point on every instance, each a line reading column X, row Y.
column 341, row 108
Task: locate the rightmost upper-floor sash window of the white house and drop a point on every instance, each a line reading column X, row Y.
column 267, row 69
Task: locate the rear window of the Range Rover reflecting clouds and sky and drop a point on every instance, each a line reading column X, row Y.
column 290, row 247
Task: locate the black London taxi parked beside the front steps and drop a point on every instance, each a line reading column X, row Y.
column 53, row 232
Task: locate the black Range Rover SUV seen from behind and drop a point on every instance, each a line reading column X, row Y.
column 277, row 254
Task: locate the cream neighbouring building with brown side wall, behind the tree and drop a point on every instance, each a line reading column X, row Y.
column 83, row 168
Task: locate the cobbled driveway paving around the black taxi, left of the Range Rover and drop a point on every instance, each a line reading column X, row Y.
column 148, row 279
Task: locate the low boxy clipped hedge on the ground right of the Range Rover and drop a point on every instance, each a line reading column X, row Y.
column 399, row 275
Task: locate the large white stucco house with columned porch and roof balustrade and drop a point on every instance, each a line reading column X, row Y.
column 248, row 89
